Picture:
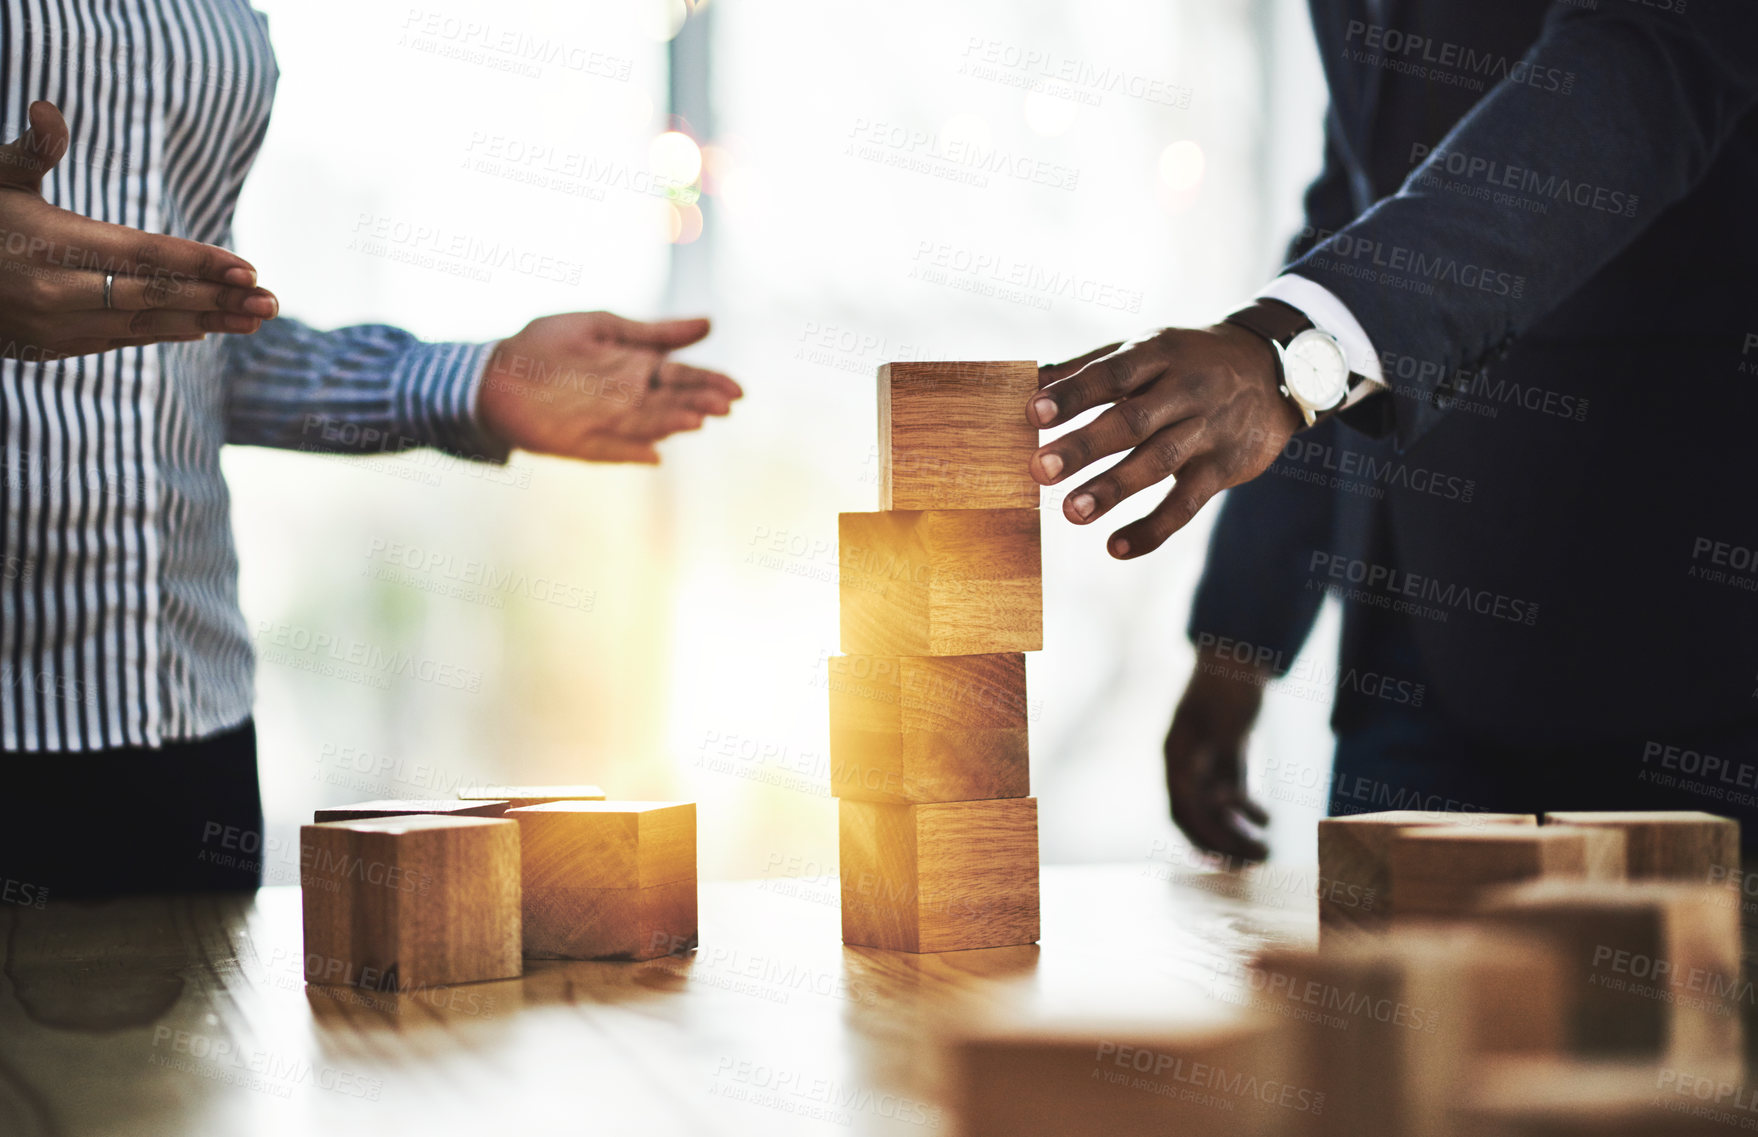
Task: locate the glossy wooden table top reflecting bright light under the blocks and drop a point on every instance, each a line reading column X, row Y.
column 189, row 1015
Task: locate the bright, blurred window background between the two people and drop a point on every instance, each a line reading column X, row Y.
column 818, row 177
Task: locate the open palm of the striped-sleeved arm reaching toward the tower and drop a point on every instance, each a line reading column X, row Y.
column 599, row 387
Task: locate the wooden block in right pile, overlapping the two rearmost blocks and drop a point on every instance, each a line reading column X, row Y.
column 1442, row 871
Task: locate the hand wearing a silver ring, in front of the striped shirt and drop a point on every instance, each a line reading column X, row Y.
column 54, row 264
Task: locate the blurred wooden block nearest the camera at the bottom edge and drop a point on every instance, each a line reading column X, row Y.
column 1130, row 1080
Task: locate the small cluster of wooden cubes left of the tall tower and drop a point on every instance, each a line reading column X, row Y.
column 405, row 895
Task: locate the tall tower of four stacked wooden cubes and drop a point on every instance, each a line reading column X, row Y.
column 941, row 593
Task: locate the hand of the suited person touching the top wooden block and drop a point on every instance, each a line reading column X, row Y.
column 1195, row 405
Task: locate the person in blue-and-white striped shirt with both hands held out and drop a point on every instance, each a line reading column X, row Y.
column 133, row 345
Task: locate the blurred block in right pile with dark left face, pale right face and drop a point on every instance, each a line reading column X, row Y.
column 1652, row 969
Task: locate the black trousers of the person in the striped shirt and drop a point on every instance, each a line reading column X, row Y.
column 178, row 820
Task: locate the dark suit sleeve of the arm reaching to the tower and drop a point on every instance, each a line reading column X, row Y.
column 1629, row 96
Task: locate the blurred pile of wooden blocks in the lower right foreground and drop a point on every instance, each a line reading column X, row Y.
column 1478, row 976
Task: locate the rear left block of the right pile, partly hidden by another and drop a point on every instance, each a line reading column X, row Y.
column 1355, row 892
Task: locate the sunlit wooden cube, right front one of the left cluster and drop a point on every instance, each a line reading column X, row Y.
column 609, row 880
